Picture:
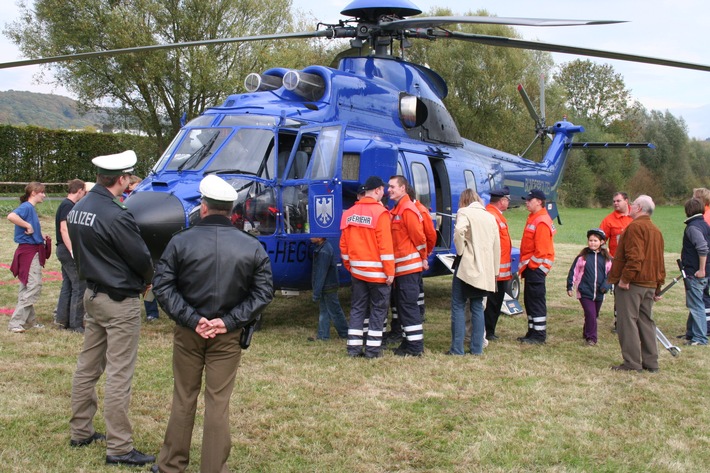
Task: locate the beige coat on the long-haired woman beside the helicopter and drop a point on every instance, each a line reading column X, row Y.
column 477, row 240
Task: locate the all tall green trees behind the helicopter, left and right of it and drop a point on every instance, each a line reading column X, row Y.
column 159, row 90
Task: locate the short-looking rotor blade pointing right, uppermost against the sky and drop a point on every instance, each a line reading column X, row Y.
column 434, row 21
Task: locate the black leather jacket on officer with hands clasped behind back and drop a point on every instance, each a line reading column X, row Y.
column 213, row 270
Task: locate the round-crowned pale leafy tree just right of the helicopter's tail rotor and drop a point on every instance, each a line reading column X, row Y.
column 593, row 91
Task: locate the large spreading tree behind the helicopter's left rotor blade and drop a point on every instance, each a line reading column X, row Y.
column 156, row 88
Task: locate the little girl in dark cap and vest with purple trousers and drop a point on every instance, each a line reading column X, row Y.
column 587, row 278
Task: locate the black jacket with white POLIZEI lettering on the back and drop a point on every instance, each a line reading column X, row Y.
column 108, row 249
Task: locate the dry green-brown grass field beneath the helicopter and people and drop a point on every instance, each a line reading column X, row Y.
column 301, row 406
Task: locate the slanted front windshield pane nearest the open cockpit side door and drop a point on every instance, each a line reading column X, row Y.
column 248, row 151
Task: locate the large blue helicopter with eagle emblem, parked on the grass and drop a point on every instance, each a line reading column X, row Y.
column 299, row 143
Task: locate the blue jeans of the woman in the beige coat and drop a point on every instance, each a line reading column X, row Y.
column 458, row 320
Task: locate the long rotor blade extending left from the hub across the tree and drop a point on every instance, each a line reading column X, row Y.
column 155, row 47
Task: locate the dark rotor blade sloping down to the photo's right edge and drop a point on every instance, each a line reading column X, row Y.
column 558, row 48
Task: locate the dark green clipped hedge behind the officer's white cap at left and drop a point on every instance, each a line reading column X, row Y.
column 39, row 154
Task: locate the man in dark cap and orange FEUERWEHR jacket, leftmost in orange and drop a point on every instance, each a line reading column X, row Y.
column 366, row 250
